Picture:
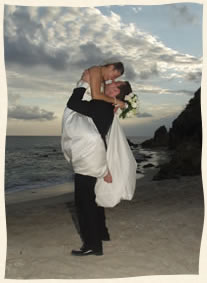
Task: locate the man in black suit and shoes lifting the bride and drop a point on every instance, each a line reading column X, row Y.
column 90, row 216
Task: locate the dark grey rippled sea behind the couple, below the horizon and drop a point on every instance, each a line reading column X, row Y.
column 37, row 161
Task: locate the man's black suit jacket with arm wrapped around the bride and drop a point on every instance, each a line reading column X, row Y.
column 100, row 111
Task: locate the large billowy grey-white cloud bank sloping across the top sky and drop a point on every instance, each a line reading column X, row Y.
column 72, row 39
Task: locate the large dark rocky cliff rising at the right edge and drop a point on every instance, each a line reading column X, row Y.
column 185, row 141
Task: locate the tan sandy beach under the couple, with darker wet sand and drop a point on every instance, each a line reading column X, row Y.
column 157, row 233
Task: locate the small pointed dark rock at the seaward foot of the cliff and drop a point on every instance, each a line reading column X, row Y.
column 160, row 139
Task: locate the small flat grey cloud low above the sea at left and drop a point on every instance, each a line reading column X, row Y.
column 21, row 112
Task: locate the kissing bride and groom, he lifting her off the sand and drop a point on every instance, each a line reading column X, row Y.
column 94, row 143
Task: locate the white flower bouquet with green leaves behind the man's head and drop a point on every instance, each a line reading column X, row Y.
column 131, row 101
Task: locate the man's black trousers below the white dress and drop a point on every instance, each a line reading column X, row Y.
column 91, row 217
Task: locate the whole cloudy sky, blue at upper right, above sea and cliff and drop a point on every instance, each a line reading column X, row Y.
column 47, row 48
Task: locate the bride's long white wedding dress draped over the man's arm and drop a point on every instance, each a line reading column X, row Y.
column 83, row 146
